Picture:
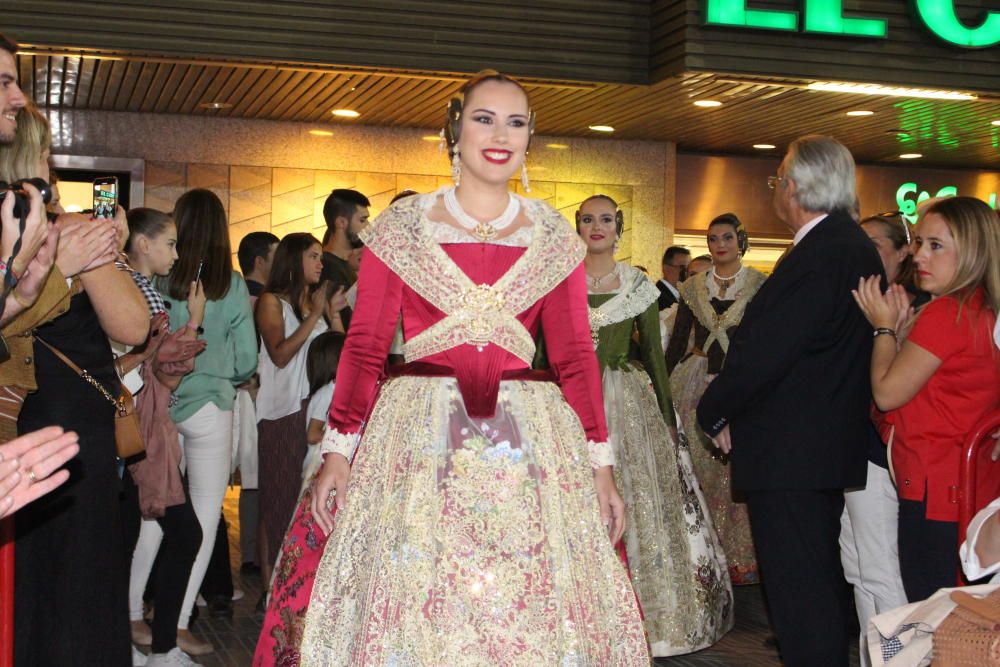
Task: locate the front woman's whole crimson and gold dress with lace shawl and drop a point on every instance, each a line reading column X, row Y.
column 472, row 533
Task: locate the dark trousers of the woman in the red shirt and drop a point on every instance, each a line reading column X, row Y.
column 928, row 551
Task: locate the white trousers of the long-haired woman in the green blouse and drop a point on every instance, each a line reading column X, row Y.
column 206, row 441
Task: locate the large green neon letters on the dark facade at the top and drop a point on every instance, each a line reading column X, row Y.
column 827, row 17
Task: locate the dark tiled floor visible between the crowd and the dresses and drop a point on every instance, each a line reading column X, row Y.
column 235, row 638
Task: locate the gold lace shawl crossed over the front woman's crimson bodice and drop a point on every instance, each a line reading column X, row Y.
column 478, row 315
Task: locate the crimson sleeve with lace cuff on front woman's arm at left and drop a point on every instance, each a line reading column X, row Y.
column 380, row 293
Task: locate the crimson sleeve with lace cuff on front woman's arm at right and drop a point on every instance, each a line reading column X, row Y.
column 570, row 351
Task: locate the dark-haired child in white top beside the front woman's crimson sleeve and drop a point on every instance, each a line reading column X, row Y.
column 321, row 371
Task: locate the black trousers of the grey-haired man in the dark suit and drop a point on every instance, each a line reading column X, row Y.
column 796, row 534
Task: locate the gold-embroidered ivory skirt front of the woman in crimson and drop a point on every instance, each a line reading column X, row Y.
column 471, row 541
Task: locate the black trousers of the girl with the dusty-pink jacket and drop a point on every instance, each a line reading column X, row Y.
column 181, row 541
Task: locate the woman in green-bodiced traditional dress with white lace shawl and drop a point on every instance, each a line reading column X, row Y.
column 677, row 566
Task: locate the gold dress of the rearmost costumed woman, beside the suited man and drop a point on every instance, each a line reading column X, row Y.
column 706, row 318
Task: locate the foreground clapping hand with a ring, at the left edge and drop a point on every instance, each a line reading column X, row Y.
column 28, row 466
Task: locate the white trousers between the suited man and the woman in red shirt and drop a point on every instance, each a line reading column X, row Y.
column 869, row 549
